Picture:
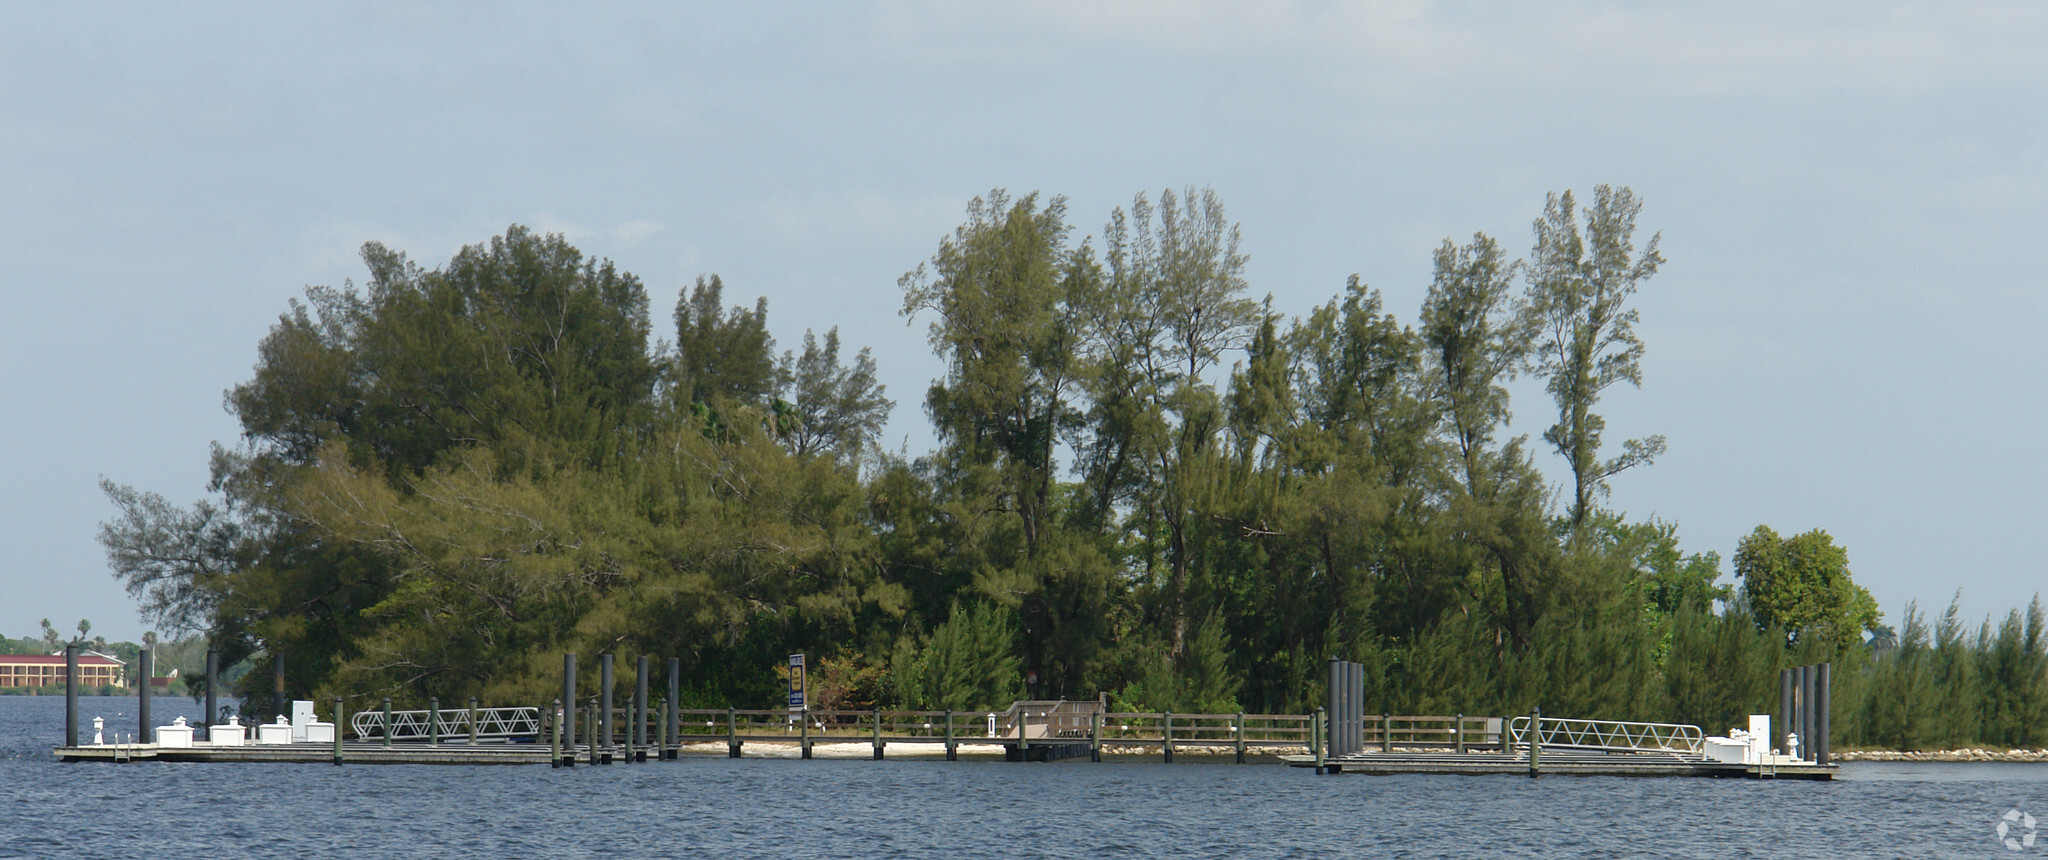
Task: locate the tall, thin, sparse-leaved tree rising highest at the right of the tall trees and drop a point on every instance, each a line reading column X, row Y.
column 1586, row 333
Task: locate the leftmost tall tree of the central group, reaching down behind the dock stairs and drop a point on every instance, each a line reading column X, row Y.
column 1009, row 302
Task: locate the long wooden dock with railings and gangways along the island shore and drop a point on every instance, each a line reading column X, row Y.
column 1027, row 732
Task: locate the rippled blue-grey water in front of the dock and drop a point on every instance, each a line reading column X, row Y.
column 861, row 810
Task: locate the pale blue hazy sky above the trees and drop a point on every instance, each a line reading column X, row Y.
column 1846, row 335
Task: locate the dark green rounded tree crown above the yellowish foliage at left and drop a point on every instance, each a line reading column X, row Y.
column 519, row 343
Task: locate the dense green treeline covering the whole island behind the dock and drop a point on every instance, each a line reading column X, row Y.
column 1146, row 484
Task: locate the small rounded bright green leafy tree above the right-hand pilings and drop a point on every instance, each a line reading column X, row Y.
column 1803, row 587
